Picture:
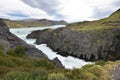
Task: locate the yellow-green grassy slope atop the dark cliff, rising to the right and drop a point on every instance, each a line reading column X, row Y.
column 113, row 21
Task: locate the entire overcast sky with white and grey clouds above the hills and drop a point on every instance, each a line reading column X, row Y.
column 69, row 10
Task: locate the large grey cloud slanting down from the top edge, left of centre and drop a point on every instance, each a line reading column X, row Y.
column 48, row 6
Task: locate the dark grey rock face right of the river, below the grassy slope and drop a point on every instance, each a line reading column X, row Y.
column 85, row 45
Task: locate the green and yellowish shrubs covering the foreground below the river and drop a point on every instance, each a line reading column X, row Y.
column 14, row 67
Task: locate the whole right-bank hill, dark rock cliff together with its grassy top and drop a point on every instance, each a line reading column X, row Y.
column 86, row 40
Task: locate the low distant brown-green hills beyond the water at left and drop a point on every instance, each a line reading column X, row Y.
column 32, row 23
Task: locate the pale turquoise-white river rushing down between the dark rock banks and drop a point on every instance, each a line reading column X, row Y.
column 69, row 62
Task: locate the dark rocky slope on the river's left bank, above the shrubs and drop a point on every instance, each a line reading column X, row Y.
column 8, row 40
